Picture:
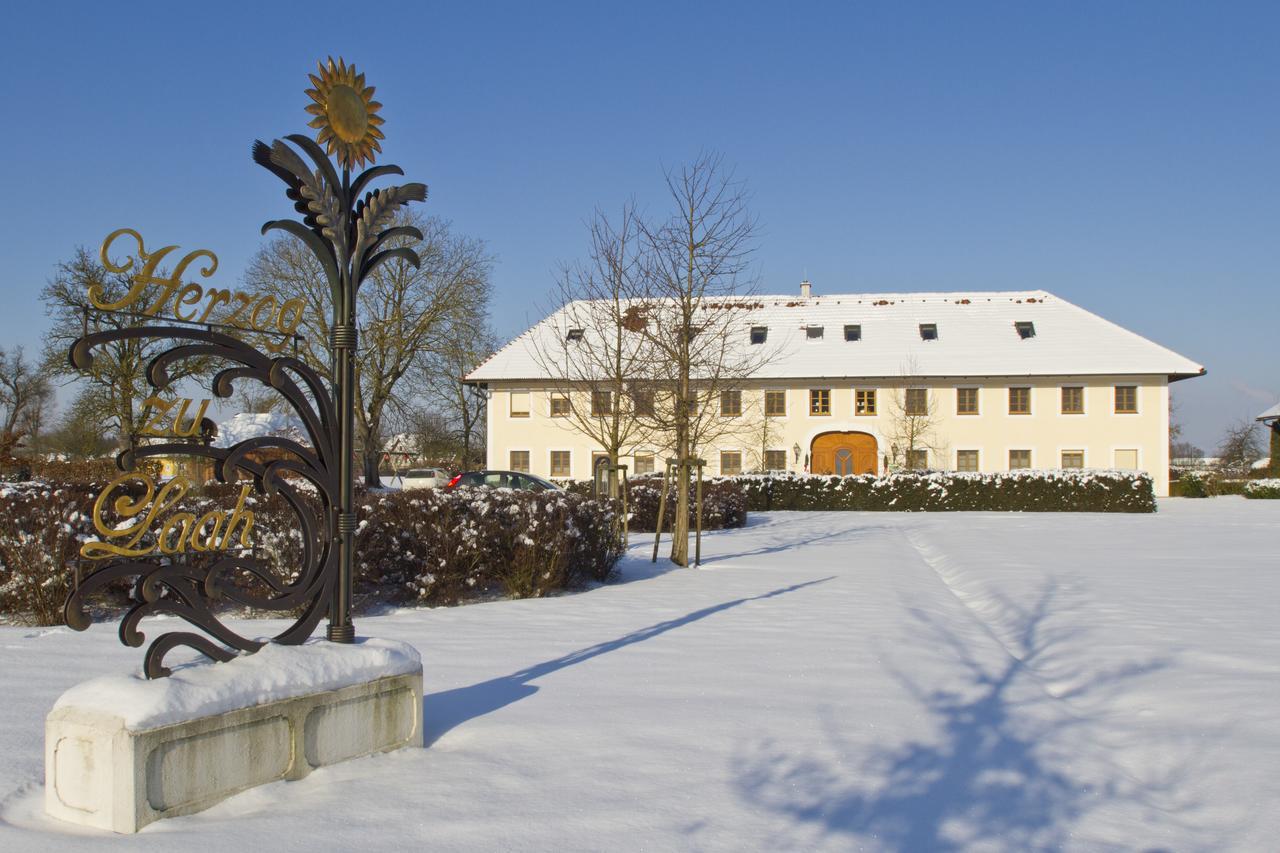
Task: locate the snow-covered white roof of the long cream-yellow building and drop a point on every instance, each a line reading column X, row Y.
column 976, row 337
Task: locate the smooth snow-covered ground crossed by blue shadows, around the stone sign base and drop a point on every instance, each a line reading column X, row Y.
column 828, row 682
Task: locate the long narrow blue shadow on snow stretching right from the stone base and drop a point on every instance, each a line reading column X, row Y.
column 449, row 709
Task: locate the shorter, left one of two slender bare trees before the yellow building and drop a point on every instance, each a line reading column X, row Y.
column 598, row 353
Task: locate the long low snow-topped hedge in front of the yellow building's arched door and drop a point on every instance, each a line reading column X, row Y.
column 947, row 491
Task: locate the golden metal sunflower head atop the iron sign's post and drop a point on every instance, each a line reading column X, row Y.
column 346, row 116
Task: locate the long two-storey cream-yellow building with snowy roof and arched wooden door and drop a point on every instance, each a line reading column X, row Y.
column 867, row 384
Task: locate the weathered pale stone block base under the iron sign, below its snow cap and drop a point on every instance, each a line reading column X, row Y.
column 100, row 773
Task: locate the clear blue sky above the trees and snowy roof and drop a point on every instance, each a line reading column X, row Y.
column 1121, row 156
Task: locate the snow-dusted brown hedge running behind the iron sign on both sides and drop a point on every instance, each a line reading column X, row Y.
column 423, row 546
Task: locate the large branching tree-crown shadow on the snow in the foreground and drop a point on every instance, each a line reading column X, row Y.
column 999, row 774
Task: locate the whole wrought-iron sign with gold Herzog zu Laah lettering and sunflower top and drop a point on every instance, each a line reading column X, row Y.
column 191, row 567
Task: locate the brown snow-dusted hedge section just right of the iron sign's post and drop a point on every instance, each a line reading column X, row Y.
column 445, row 548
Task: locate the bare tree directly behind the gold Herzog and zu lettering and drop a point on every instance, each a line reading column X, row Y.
column 116, row 386
